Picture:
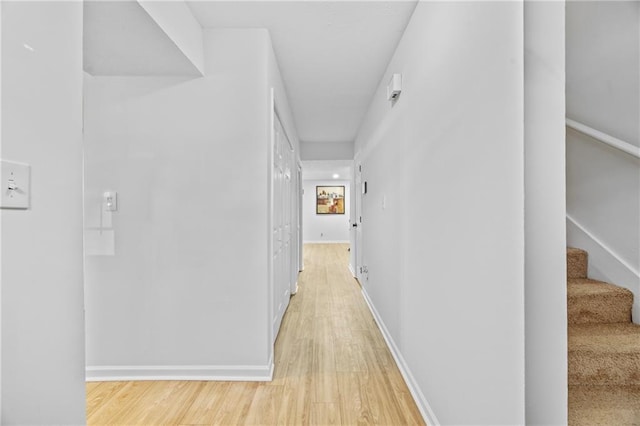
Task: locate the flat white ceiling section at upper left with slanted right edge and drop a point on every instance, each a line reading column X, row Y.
column 120, row 38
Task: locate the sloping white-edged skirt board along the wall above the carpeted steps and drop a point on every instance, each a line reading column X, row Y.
column 604, row 263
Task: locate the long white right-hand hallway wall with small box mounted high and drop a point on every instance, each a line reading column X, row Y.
column 443, row 218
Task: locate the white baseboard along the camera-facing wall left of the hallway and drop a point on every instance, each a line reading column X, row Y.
column 249, row 373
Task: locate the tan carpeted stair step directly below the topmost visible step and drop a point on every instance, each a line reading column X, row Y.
column 590, row 301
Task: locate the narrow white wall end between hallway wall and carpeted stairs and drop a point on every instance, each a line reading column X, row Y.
column 545, row 245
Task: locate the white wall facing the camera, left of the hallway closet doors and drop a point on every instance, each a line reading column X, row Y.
column 183, row 262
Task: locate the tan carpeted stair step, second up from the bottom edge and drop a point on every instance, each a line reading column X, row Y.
column 604, row 354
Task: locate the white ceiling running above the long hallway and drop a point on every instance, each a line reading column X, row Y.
column 332, row 54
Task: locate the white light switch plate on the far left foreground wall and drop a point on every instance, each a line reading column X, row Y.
column 15, row 185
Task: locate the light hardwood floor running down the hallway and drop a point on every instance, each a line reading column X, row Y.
column 332, row 367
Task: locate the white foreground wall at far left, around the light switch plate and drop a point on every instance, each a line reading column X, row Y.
column 42, row 296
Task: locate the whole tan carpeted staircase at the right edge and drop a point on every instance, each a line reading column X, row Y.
column 604, row 349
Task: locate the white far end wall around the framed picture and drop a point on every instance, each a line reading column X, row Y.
column 325, row 228
